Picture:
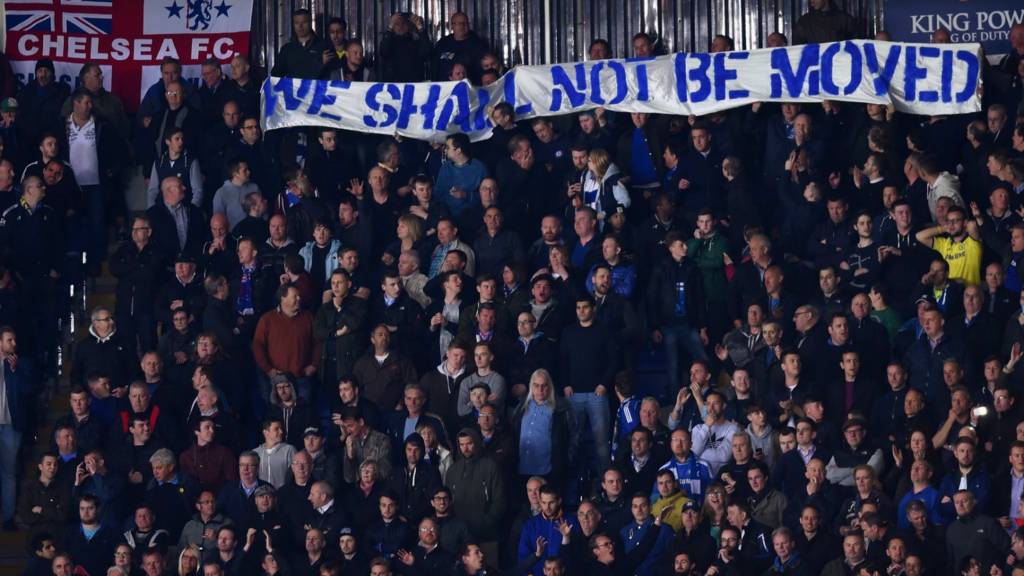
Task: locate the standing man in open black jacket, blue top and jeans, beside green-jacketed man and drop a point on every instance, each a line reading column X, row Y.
column 676, row 307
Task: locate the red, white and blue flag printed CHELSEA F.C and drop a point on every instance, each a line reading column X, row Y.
column 127, row 38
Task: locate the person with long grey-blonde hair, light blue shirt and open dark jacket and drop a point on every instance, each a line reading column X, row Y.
column 544, row 432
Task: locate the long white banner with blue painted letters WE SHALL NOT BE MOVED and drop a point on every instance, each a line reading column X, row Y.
column 927, row 79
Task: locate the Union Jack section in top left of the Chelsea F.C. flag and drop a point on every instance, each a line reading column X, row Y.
column 61, row 17
